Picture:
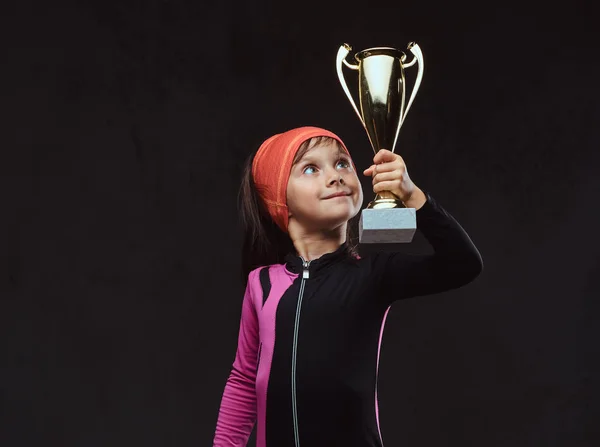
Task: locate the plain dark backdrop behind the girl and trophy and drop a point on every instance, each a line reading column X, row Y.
column 125, row 126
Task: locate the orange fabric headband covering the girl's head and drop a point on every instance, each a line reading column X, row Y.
column 272, row 165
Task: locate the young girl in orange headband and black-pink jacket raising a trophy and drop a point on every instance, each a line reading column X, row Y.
column 313, row 312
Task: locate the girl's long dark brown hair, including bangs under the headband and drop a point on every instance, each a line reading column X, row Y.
column 264, row 243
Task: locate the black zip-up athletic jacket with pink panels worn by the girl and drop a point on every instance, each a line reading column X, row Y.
column 310, row 333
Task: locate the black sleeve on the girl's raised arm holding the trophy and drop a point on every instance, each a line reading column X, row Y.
column 454, row 263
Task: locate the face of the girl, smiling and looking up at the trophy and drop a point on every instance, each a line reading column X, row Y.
column 322, row 172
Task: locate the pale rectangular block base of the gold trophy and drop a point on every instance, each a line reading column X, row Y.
column 387, row 226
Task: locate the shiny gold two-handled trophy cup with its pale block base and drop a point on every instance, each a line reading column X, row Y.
column 382, row 93
